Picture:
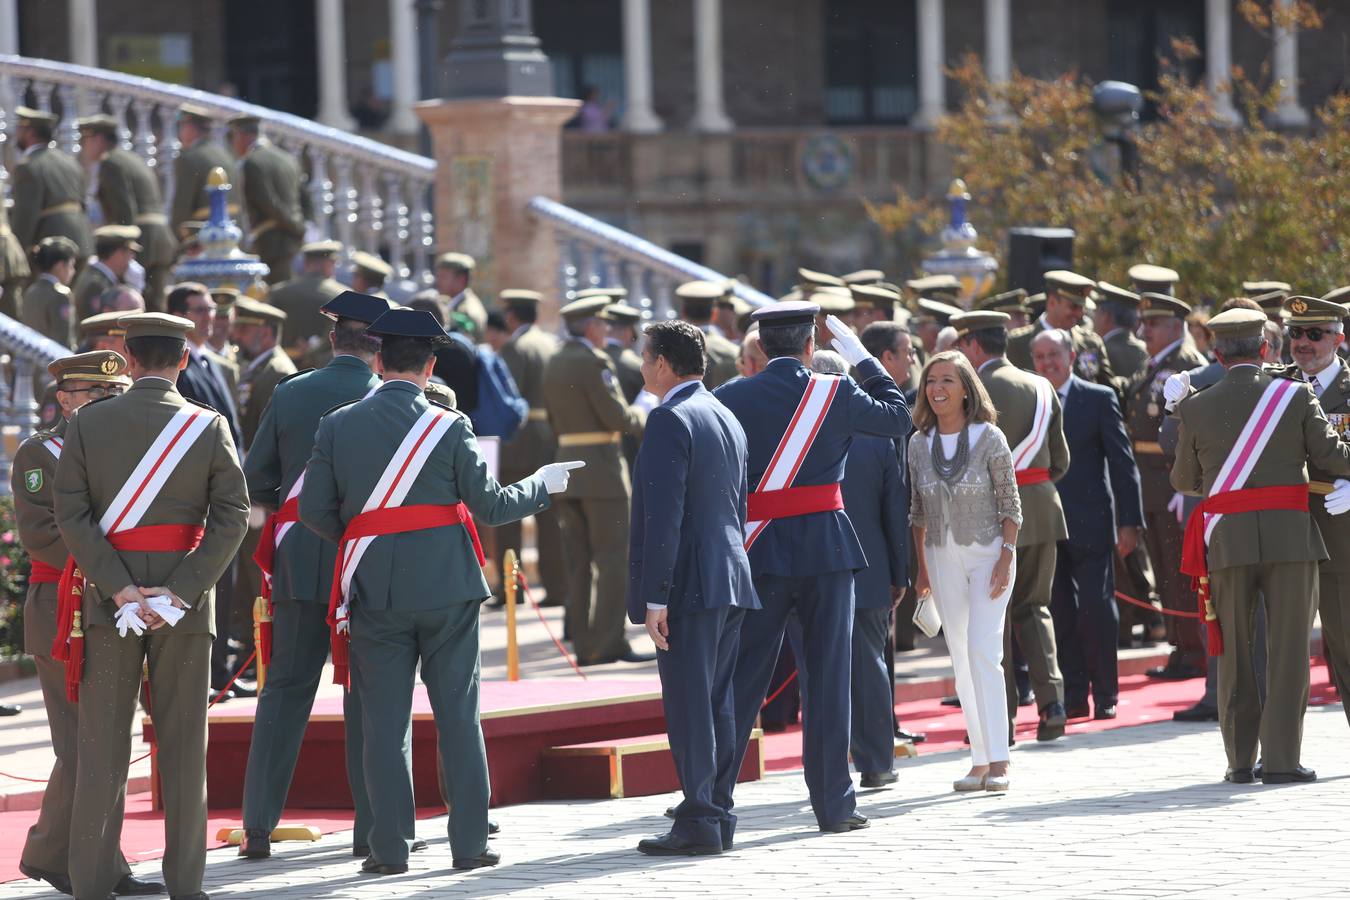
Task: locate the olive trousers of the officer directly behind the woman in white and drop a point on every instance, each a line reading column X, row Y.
column 1031, row 624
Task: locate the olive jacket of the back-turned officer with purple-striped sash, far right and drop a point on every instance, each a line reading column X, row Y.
column 1210, row 424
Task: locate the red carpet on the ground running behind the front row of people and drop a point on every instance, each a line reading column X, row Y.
column 1143, row 701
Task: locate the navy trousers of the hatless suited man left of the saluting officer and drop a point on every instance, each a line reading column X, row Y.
column 700, row 719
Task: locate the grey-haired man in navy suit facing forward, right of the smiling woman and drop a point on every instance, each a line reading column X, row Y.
column 1104, row 512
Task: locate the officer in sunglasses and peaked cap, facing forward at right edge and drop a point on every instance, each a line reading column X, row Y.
column 1316, row 330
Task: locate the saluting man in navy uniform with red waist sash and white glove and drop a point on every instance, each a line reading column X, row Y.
column 803, row 547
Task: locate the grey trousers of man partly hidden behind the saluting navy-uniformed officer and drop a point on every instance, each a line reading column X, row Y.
column 873, row 696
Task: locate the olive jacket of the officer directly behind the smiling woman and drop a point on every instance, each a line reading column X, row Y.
column 1015, row 395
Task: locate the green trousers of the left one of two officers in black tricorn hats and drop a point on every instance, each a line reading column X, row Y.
column 300, row 651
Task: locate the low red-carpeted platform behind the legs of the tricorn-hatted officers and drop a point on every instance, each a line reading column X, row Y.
column 520, row 720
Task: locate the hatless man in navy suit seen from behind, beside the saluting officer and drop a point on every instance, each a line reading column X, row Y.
column 689, row 578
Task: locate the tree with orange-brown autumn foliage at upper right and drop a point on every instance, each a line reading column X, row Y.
column 1220, row 204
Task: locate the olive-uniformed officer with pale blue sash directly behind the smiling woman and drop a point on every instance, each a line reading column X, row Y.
column 1017, row 395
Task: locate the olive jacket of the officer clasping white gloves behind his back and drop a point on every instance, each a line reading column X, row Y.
column 105, row 443
